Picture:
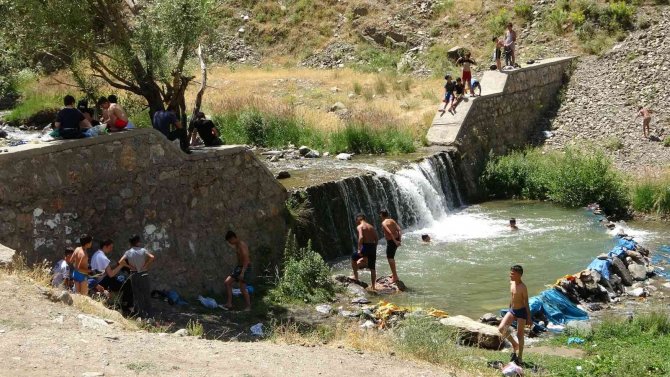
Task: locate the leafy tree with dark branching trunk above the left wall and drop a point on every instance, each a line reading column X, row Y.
column 141, row 46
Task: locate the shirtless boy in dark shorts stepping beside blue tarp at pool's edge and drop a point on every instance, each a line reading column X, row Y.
column 519, row 311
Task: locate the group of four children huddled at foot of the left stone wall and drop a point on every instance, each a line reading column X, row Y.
column 79, row 273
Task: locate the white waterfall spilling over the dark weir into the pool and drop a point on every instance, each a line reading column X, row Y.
column 416, row 196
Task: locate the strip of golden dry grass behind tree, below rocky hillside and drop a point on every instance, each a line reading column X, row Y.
column 309, row 93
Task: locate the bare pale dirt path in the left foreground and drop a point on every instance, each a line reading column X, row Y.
column 42, row 338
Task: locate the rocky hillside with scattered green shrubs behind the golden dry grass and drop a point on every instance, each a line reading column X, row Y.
column 413, row 35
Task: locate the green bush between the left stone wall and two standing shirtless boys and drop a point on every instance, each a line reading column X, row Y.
column 305, row 277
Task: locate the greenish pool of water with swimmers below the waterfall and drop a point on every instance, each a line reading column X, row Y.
column 465, row 268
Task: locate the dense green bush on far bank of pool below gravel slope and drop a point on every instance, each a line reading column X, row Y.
column 574, row 178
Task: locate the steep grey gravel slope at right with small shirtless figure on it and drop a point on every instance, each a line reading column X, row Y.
column 603, row 95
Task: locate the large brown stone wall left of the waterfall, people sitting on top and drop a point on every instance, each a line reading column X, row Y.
column 112, row 186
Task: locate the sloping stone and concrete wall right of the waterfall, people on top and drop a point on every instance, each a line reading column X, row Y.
column 502, row 119
